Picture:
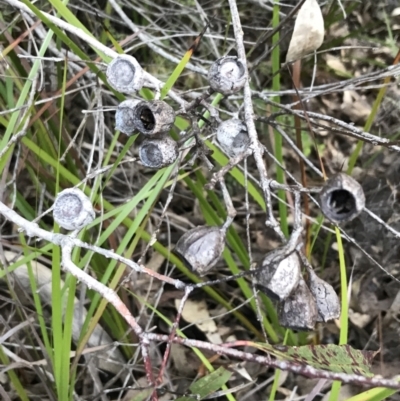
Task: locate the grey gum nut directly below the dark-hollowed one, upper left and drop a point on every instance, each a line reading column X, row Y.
column 158, row 152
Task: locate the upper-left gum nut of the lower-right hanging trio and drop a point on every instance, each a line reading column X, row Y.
column 277, row 278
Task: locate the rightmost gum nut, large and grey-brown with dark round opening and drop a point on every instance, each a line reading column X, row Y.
column 341, row 198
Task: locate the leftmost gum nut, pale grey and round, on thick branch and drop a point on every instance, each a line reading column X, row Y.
column 73, row 209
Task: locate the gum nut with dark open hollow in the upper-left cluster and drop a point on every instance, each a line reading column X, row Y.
column 153, row 117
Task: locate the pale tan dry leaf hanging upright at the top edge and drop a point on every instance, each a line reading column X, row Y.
column 308, row 33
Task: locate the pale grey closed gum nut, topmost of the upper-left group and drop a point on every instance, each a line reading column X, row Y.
column 125, row 74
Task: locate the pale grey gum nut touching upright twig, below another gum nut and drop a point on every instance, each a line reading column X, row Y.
column 233, row 137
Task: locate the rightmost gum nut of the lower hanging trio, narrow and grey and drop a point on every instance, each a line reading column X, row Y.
column 328, row 304
